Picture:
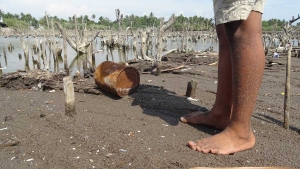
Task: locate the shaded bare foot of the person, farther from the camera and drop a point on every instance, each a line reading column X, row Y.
column 208, row 118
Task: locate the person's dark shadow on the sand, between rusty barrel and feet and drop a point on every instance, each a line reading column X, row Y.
column 167, row 105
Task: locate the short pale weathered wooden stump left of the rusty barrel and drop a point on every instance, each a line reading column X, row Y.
column 69, row 96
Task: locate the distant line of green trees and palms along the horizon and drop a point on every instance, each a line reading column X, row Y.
column 195, row 23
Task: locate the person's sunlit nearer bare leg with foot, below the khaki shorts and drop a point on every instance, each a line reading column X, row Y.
column 247, row 62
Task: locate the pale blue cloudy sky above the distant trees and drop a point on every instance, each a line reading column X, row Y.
column 279, row 9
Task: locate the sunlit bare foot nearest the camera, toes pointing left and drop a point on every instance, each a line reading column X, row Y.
column 228, row 141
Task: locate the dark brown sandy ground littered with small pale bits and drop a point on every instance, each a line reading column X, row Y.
column 142, row 130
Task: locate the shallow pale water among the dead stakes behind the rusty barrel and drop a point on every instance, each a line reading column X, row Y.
column 15, row 60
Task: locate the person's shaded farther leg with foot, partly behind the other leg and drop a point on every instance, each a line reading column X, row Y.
column 219, row 115
